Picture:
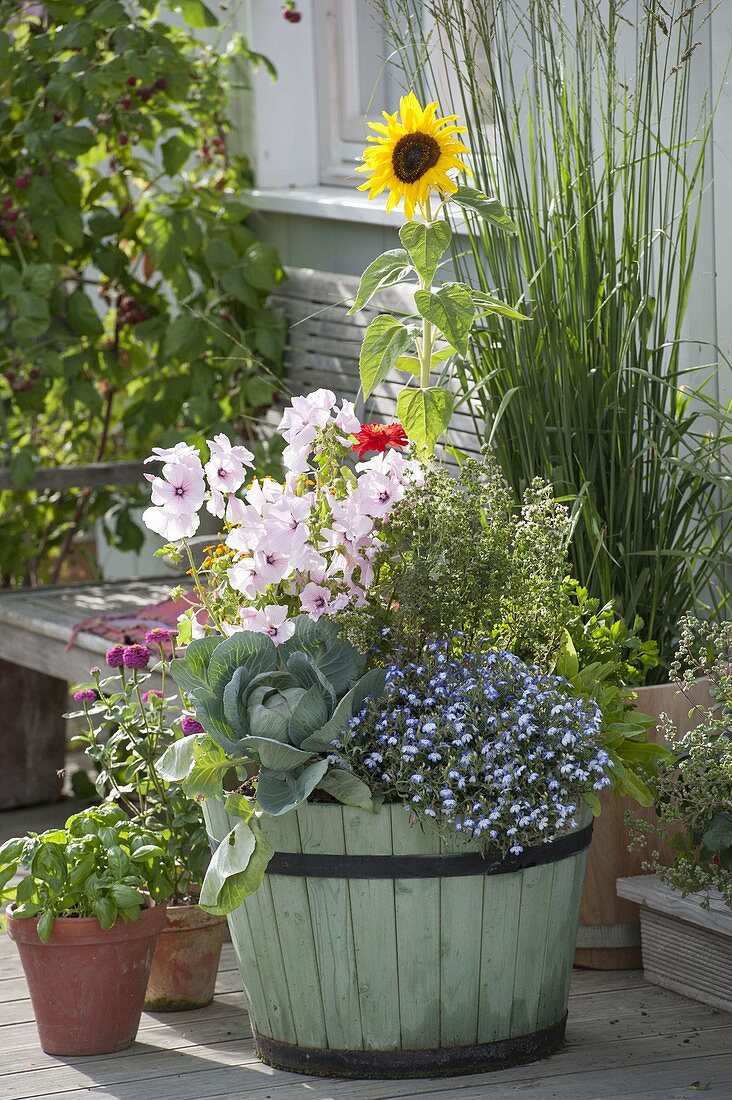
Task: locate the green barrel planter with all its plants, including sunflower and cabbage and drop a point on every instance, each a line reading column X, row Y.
column 402, row 747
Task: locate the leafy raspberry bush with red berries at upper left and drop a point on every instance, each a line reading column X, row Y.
column 133, row 290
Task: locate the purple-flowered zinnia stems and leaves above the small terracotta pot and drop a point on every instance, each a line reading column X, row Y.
column 127, row 728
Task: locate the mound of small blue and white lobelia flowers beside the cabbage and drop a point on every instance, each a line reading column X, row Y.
column 484, row 745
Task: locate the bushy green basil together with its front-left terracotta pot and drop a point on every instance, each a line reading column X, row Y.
column 86, row 917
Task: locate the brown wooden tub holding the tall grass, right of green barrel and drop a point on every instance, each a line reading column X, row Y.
column 609, row 936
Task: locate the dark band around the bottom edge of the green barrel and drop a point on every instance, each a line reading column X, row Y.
column 445, row 1062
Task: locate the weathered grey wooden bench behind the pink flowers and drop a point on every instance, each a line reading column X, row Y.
column 37, row 624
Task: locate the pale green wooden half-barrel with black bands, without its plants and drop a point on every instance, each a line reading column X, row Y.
column 373, row 950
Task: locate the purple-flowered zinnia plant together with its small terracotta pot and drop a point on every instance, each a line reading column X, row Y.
column 128, row 728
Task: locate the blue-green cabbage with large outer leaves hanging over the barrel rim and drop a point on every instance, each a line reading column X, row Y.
column 272, row 717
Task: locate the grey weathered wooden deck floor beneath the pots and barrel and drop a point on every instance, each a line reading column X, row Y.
column 626, row 1039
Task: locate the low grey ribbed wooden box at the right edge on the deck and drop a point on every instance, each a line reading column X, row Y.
column 686, row 949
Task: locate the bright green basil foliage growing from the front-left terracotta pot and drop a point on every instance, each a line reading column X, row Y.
column 101, row 864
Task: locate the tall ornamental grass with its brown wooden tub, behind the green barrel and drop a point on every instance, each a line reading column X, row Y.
column 599, row 392
